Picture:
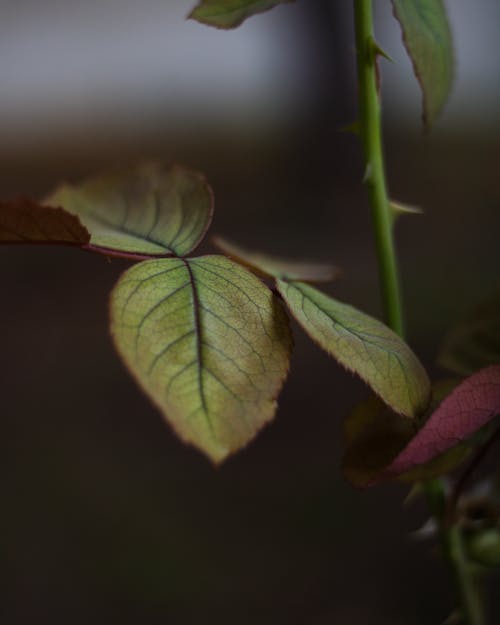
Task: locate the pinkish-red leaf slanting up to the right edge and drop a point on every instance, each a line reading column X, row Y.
column 468, row 408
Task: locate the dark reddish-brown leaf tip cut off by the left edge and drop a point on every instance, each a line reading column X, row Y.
column 24, row 221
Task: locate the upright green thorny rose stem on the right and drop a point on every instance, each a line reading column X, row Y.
column 371, row 137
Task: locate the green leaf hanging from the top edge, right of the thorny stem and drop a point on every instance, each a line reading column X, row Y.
column 428, row 41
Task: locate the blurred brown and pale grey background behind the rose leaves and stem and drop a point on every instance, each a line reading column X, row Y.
column 106, row 517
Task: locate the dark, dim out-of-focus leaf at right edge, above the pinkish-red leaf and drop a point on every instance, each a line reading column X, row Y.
column 474, row 343
